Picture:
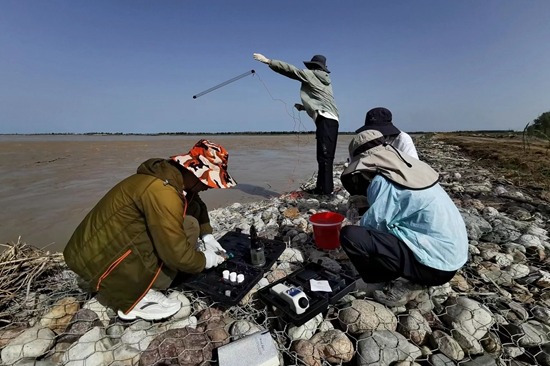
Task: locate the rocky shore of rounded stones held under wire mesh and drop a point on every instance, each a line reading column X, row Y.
column 495, row 311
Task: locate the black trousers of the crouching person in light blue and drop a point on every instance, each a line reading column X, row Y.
column 381, row 257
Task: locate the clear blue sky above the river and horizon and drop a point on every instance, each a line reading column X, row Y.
column 133, row 66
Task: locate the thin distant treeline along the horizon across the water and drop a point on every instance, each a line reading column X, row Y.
column 234, row 133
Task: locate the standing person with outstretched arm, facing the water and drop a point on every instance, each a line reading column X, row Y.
column 318, row 101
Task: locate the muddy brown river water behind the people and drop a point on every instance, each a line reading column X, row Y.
column 48, row 183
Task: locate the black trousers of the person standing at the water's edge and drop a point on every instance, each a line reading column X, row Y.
column 326, row 134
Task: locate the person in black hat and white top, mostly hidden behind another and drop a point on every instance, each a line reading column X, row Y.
column 380, row 119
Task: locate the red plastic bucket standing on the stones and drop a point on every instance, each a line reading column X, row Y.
column 326, row 229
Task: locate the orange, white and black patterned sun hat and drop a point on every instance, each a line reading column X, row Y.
column 208, row 162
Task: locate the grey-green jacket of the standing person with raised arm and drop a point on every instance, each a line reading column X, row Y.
column 316, row 89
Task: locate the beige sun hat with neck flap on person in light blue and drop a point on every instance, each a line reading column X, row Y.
column 371, row 155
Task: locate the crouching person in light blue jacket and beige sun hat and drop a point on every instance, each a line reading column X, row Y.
column 412, row 228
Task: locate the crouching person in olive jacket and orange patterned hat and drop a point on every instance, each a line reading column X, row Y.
column 146, row 229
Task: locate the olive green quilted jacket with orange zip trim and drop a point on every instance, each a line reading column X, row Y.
column 135, row 234
